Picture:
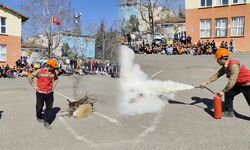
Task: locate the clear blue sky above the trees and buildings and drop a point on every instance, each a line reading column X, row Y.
column 93, row 11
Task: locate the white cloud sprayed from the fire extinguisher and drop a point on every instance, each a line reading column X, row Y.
column 139, row 93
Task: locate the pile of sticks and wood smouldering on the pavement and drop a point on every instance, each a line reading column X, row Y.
column 80, row 108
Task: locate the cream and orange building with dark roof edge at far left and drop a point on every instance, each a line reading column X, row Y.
column 10, row 35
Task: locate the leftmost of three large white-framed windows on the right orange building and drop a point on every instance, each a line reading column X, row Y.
column 205, row 28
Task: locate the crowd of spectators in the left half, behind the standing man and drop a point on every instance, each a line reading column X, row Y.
column 85, row 67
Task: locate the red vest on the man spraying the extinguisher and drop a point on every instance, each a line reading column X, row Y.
column 244, row 74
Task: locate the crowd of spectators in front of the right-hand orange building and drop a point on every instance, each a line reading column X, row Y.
column 179, row 45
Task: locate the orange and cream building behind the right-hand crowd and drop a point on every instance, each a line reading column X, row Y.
column 219, row 20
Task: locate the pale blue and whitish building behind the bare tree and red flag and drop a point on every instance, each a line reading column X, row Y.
column 78, row 45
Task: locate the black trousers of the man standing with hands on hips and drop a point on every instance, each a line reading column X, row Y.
column 42, row 98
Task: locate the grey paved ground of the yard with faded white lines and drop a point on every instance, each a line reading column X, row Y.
column 185, row 123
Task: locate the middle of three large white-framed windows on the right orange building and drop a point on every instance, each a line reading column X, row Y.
column 221, row 27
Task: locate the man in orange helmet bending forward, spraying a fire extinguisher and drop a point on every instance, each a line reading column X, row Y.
column 238, row 80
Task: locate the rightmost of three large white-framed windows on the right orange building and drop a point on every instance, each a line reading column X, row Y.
column 237, row 26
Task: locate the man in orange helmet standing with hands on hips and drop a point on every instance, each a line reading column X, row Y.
column 46, row 82
